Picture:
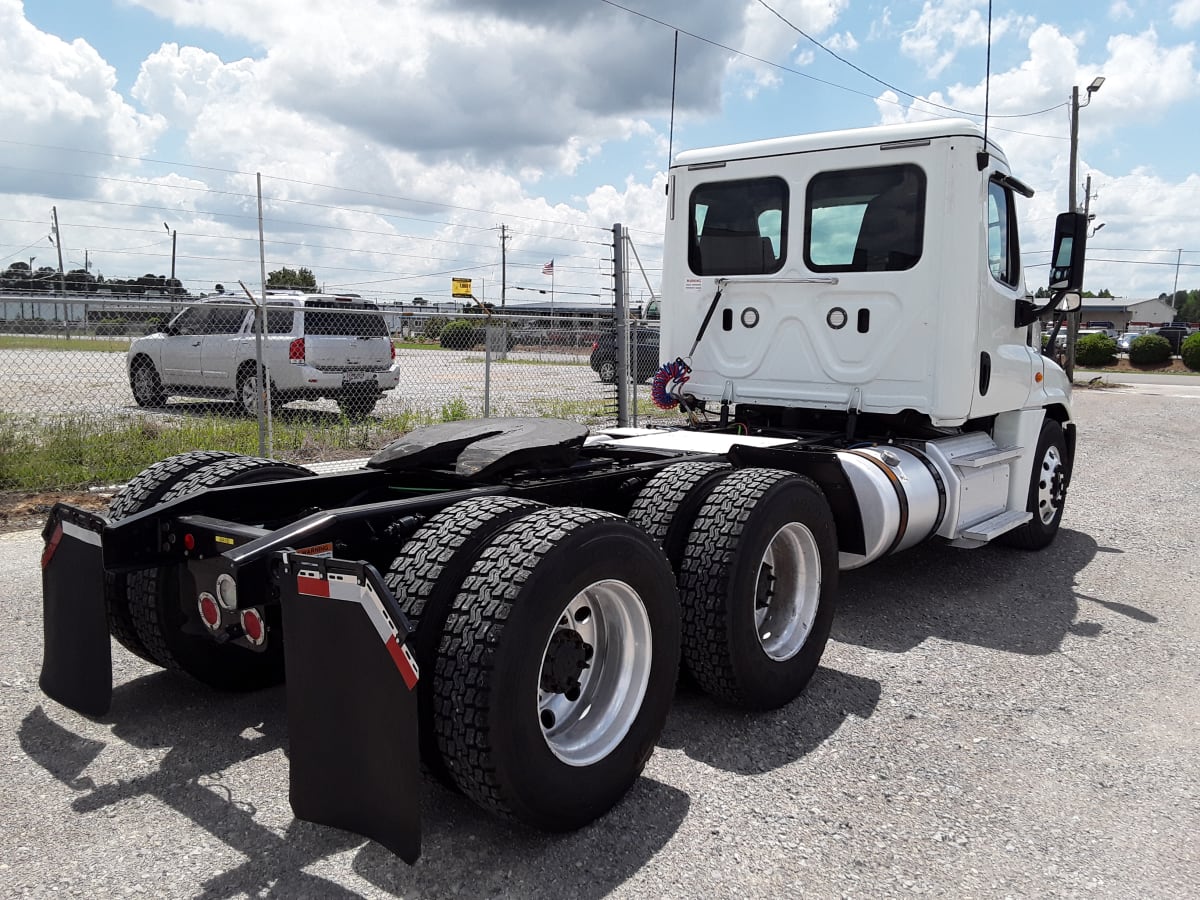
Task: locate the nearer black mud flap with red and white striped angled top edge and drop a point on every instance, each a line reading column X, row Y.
column 352, row 701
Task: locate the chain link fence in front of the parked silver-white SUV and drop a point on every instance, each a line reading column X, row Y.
column 98, row 388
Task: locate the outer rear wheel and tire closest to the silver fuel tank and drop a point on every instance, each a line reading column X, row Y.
column 758, row 587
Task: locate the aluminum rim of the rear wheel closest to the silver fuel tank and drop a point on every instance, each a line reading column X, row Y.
column 788, row 592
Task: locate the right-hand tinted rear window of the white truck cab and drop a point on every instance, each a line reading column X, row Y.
column 866, row 220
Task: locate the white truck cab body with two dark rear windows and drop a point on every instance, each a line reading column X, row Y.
column 874, row 269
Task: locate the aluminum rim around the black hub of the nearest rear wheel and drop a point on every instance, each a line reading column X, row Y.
column 610, row 619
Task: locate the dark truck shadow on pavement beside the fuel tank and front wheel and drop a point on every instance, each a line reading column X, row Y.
column 994, row 598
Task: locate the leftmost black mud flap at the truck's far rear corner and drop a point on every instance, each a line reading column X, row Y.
column 77, row 656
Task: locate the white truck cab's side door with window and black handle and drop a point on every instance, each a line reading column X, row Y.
column 1006, row 363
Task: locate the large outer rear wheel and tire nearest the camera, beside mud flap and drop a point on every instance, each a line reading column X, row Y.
column 557, row 668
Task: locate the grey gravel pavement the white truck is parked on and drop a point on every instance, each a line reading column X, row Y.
column 985, row 724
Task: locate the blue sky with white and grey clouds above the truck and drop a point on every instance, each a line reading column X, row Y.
column 398, row 143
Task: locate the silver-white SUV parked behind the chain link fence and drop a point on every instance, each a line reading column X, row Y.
column 315, row 346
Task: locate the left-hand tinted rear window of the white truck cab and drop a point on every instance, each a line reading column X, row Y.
column 739, row 227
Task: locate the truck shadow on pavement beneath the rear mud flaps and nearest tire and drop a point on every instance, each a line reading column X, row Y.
column 207, row 740
